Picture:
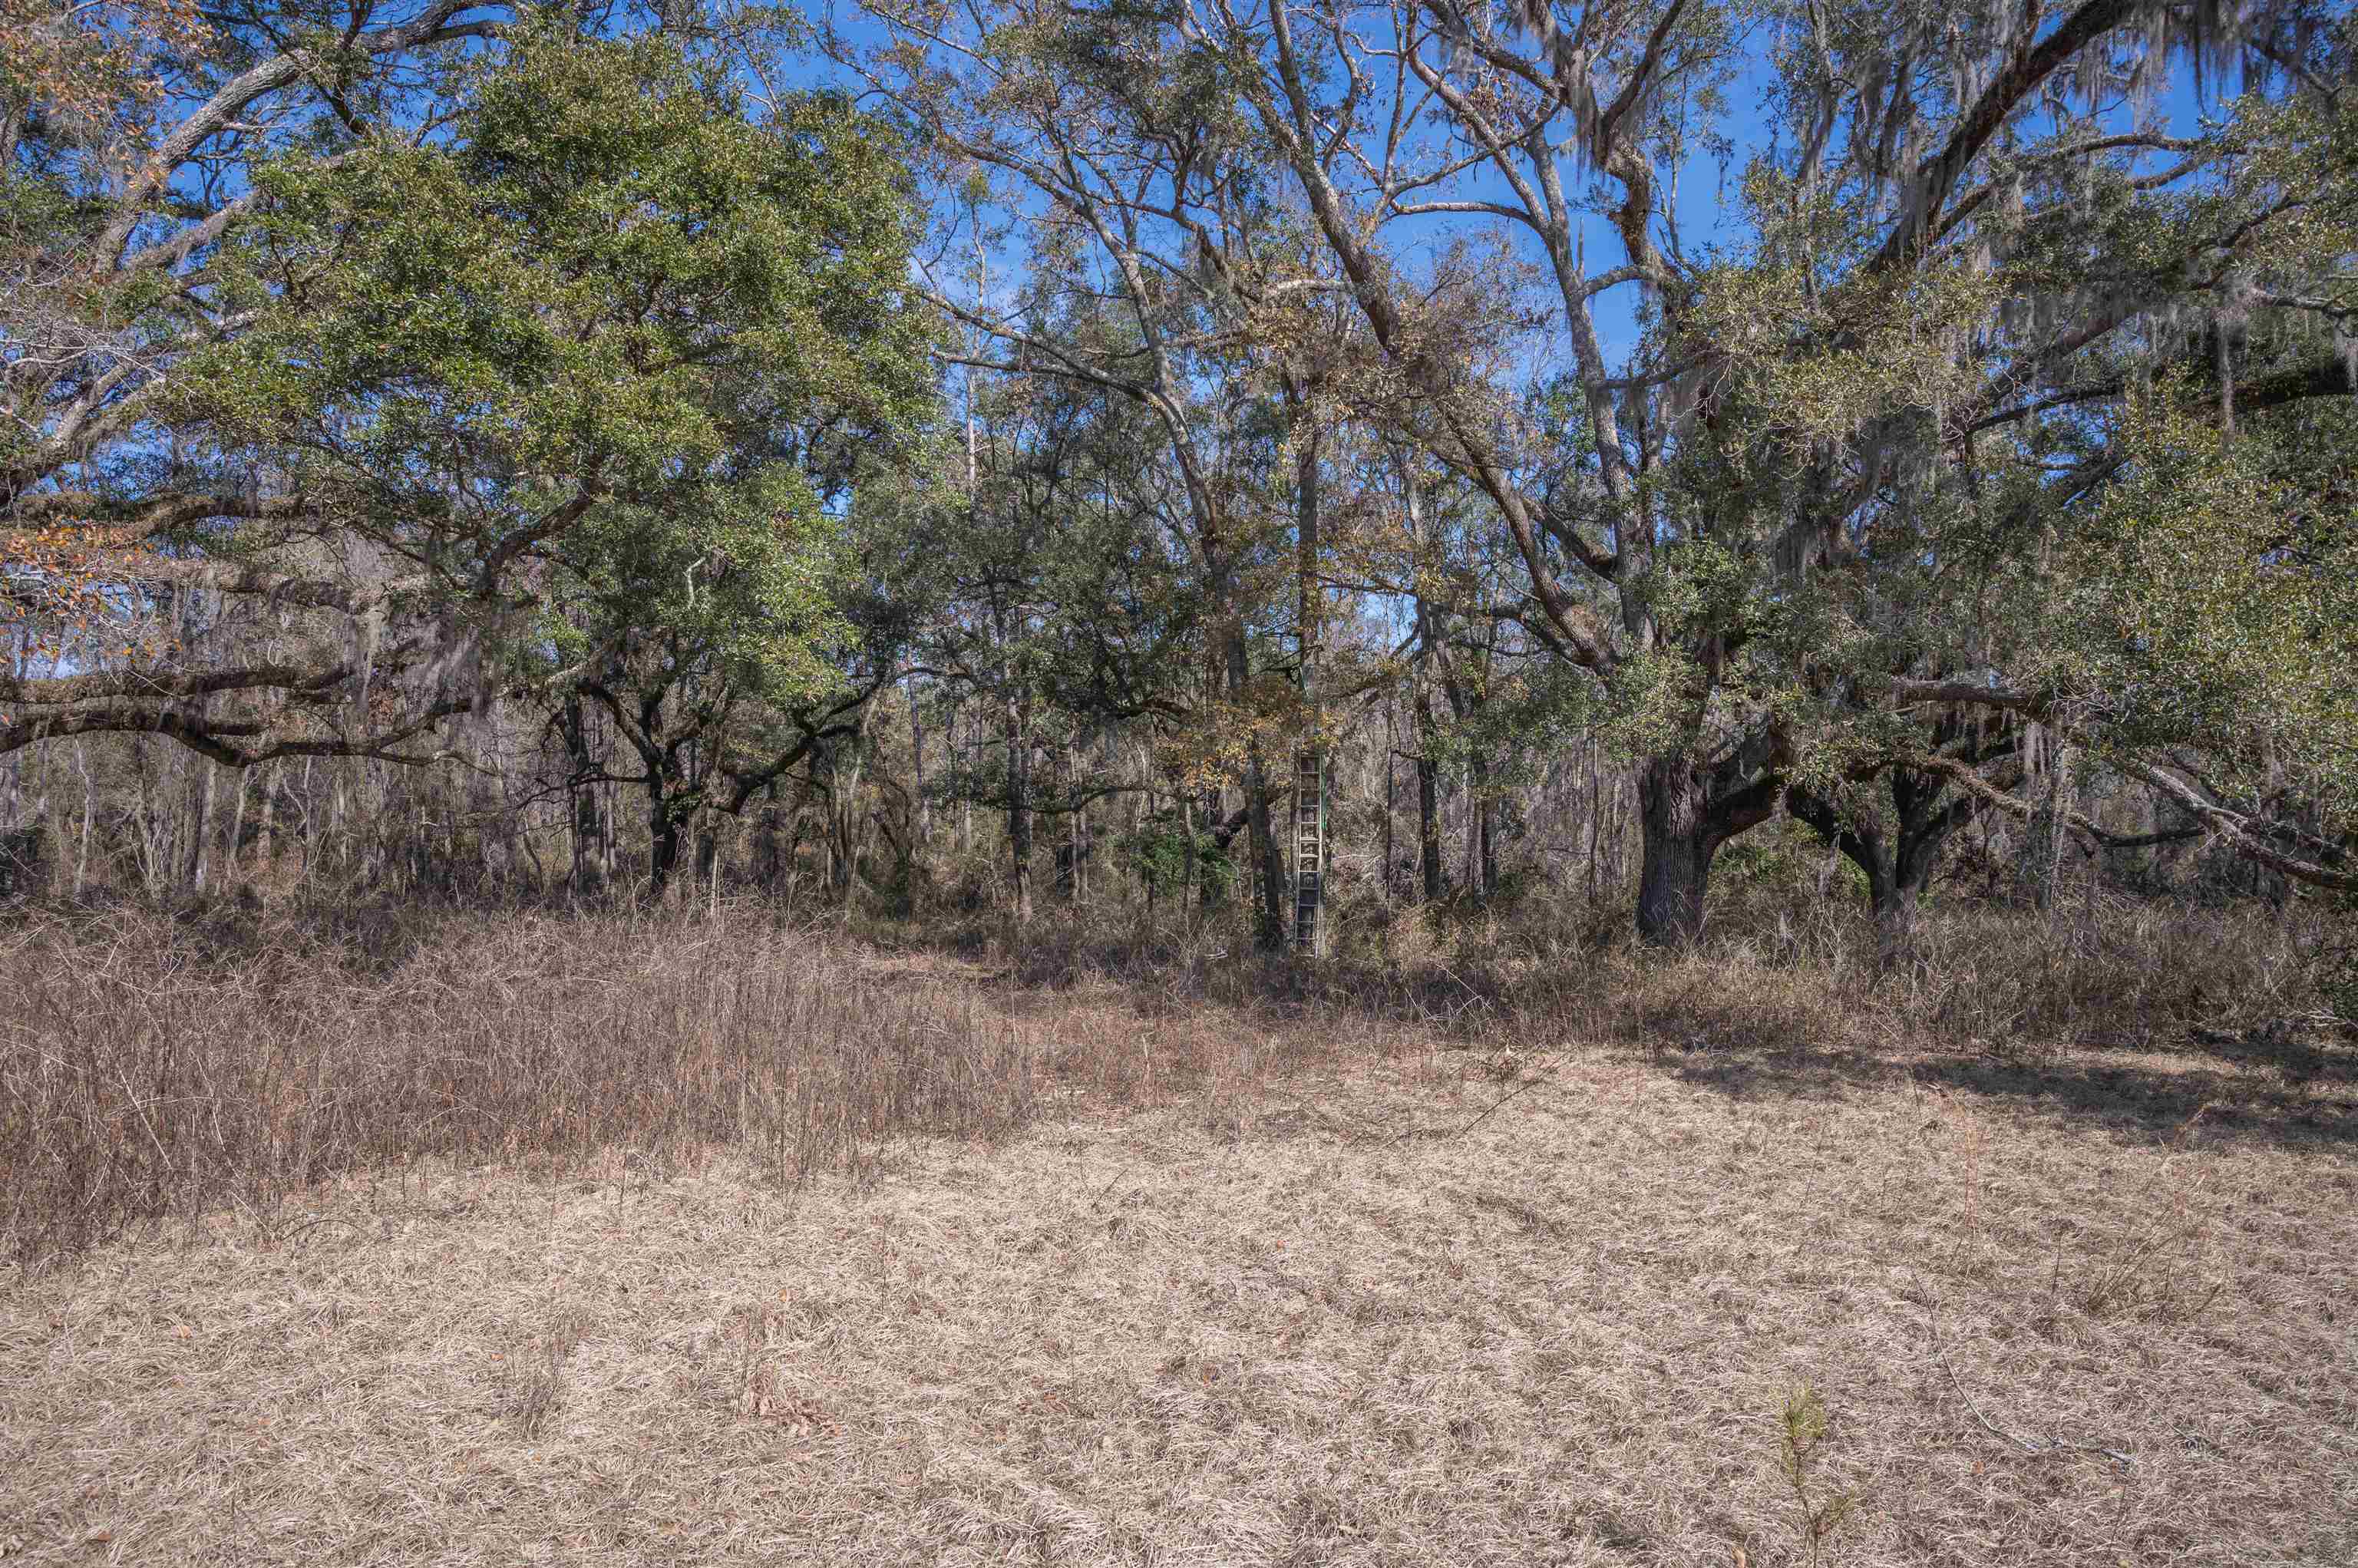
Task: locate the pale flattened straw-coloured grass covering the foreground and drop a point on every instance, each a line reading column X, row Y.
column 1324, row 1329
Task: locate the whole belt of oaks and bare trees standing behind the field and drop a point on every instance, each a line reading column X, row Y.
column 1654, row 461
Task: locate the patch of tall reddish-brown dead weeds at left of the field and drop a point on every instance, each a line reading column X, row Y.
column 164, row 1069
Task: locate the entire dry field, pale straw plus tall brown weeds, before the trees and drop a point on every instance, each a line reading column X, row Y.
column 742, row 1246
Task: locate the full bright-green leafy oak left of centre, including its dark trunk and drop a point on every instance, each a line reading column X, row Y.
column 711, row 329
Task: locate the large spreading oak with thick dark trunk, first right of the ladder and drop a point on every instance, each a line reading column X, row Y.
column 1963, row 220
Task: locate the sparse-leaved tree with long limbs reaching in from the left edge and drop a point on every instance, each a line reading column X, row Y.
column 131, row 133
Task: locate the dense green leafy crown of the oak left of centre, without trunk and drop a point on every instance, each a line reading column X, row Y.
column 588, row 350
